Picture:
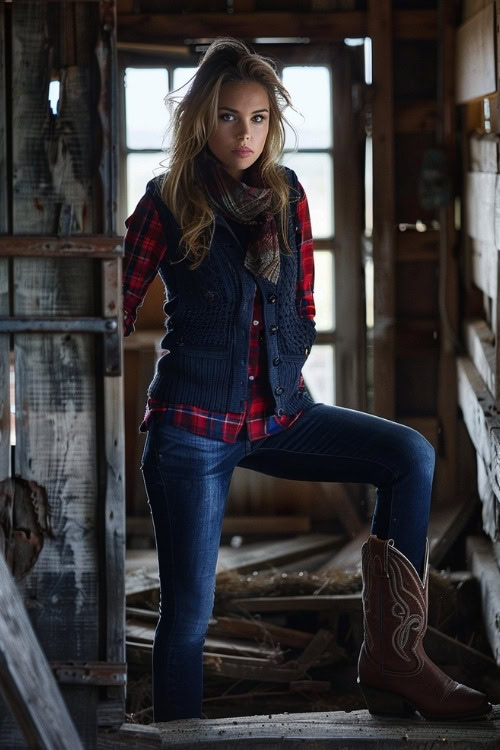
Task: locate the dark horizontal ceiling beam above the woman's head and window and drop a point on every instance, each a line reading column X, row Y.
column 161, row 28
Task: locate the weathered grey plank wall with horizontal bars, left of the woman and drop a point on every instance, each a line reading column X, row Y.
column 61, row 514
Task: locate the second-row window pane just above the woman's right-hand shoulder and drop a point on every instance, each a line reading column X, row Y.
column 315, row 174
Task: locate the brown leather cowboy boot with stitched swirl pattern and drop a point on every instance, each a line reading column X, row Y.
column 395, row 674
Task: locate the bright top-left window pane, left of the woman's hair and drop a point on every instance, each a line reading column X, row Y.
column 146, row 114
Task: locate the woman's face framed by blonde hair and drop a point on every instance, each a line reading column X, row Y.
column 242, row 126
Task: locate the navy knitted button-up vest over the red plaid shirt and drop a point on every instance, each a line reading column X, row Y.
column 209, row 313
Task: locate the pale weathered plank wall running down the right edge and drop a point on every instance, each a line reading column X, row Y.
column 478, row 366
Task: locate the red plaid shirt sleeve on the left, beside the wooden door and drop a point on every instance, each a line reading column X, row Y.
column 144, row 248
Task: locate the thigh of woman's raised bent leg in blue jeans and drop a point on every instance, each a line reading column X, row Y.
column 335, row 444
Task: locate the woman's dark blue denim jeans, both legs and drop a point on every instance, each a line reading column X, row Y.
column 187, row 480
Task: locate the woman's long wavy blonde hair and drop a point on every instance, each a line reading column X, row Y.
column 194, row 118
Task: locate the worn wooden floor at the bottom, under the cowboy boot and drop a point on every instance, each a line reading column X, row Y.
column 320, row 731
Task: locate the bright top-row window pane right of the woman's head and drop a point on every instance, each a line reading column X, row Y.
column 310, row 89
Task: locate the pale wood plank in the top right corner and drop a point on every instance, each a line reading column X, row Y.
column 476, row 62
